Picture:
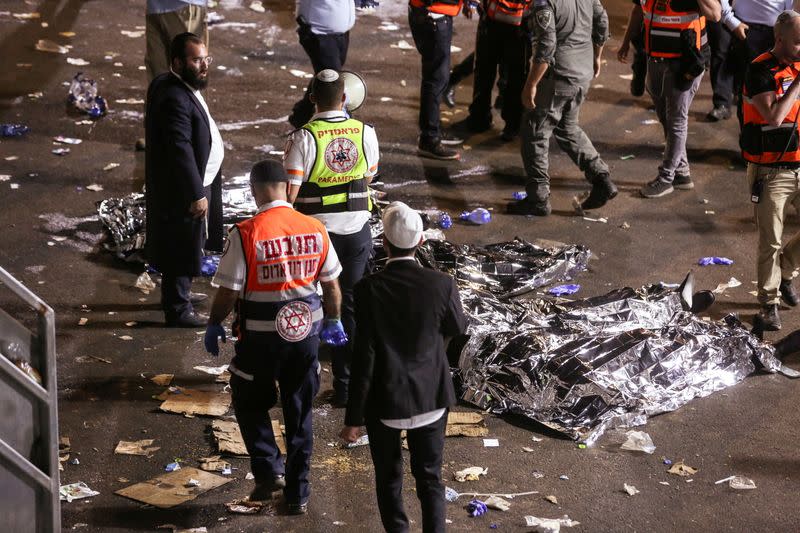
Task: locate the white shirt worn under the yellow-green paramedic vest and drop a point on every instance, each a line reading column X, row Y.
column 300, row 156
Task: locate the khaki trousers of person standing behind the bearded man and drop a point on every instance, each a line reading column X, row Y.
column 161, row 28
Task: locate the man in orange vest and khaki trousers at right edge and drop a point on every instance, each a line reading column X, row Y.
column 769, row 143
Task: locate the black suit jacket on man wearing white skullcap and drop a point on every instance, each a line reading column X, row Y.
column 400, row 368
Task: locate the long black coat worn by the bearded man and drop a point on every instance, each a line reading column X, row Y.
column 178, row 141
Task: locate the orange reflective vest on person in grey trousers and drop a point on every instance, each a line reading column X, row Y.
column 663, row 26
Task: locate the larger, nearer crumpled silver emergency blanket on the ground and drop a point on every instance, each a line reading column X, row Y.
column 609, row 361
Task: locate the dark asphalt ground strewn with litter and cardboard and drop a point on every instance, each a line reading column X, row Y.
column 50, row 239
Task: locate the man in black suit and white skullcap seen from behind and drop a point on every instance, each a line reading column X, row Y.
column 400, row 377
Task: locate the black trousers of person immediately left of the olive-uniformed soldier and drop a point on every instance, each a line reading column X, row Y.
column 504, row 48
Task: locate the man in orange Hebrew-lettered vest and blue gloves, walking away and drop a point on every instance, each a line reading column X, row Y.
column 268, row 273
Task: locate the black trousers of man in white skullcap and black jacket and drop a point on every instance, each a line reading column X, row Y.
column 425, row 445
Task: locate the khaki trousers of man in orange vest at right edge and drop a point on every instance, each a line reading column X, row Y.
column 781, row 187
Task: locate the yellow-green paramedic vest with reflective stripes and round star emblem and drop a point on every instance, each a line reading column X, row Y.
column 336, row 183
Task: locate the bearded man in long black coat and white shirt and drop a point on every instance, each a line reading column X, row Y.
column 183, row 178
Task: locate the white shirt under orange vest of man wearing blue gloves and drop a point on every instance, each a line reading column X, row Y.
column 232, row 270
